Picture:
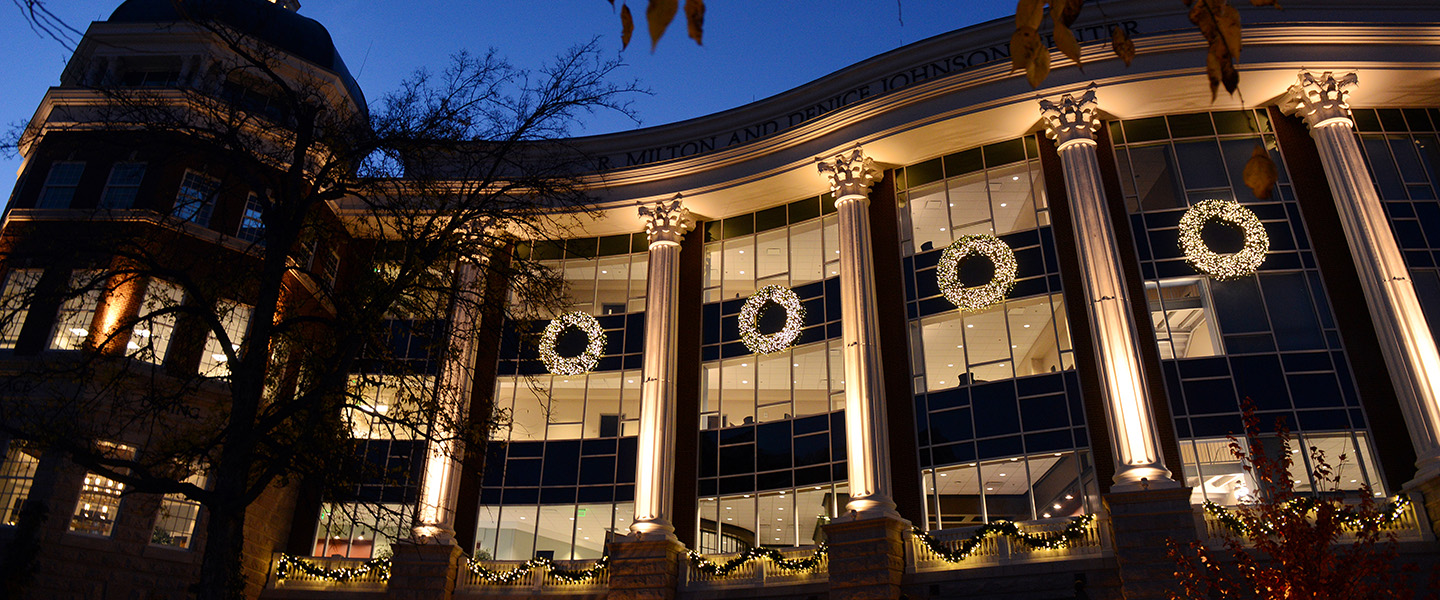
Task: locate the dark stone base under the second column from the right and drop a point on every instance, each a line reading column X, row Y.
column 1141, row 523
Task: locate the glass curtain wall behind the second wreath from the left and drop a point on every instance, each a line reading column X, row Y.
column 768, row 463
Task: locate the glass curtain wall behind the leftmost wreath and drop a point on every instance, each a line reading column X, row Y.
column 564, row 429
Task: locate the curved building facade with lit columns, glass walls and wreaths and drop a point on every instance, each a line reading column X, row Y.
column 1130, row 297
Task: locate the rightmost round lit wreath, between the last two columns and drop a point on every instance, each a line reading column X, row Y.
column 1223, row 267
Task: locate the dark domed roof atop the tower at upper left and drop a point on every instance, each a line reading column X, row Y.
column 261, row 19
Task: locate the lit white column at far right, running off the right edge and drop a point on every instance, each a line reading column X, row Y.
column 1405, row 337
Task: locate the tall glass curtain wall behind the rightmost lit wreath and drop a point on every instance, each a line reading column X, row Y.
column 1269, row 337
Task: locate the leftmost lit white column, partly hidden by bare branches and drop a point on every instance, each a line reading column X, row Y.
column 440, row 487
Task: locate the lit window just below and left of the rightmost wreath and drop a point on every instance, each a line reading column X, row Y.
column 1182, row 313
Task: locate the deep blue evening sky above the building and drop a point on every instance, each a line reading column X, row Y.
column 754, row 48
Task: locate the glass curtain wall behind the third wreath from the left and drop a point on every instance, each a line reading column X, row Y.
column 963, row 359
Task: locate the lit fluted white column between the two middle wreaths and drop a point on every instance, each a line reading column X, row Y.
column 868, row 440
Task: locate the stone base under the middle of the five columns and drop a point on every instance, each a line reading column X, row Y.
column 866, row 558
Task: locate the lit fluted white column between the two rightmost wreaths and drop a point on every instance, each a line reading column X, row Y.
column 1138, row 463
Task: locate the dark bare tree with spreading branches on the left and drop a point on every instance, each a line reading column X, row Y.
column 440, row 176
